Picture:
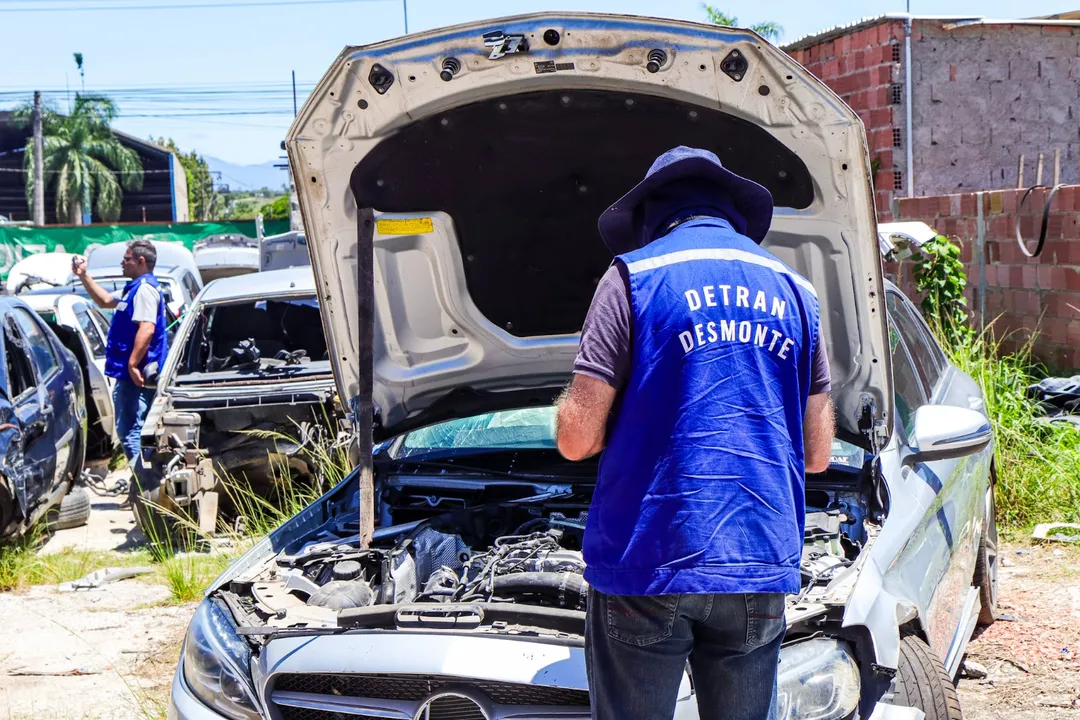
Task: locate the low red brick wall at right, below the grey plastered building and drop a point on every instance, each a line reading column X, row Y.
column 1038, row 296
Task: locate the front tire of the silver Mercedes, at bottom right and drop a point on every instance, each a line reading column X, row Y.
column 923, row 683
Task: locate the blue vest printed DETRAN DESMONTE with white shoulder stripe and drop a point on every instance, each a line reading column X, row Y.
column 701, row 484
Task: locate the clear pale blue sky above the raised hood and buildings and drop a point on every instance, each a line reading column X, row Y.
column 164, row 64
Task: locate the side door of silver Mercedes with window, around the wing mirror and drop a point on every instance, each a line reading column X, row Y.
column 947, row 539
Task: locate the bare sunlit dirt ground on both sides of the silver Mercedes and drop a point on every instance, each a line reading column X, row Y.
column 110, row 654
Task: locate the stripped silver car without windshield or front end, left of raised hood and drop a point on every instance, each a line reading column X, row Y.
column 247, row 386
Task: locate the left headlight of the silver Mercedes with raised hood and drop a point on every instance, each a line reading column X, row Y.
column 217, row 663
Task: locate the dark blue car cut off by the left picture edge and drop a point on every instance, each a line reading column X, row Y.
column 43, row 426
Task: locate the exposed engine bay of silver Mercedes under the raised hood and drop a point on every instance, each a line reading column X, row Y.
column 458, row 541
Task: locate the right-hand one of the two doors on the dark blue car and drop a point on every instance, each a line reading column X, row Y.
column 57, row 390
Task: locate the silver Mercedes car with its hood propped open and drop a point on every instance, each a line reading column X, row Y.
column 451, row 186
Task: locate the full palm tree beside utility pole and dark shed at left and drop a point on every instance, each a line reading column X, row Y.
column 84, row 158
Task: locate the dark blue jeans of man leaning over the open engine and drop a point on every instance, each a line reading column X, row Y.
column 637, row 650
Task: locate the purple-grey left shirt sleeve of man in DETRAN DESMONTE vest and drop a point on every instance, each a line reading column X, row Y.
column 604, row 352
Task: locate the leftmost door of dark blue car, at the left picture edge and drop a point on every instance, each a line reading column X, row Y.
column 34, row 459
